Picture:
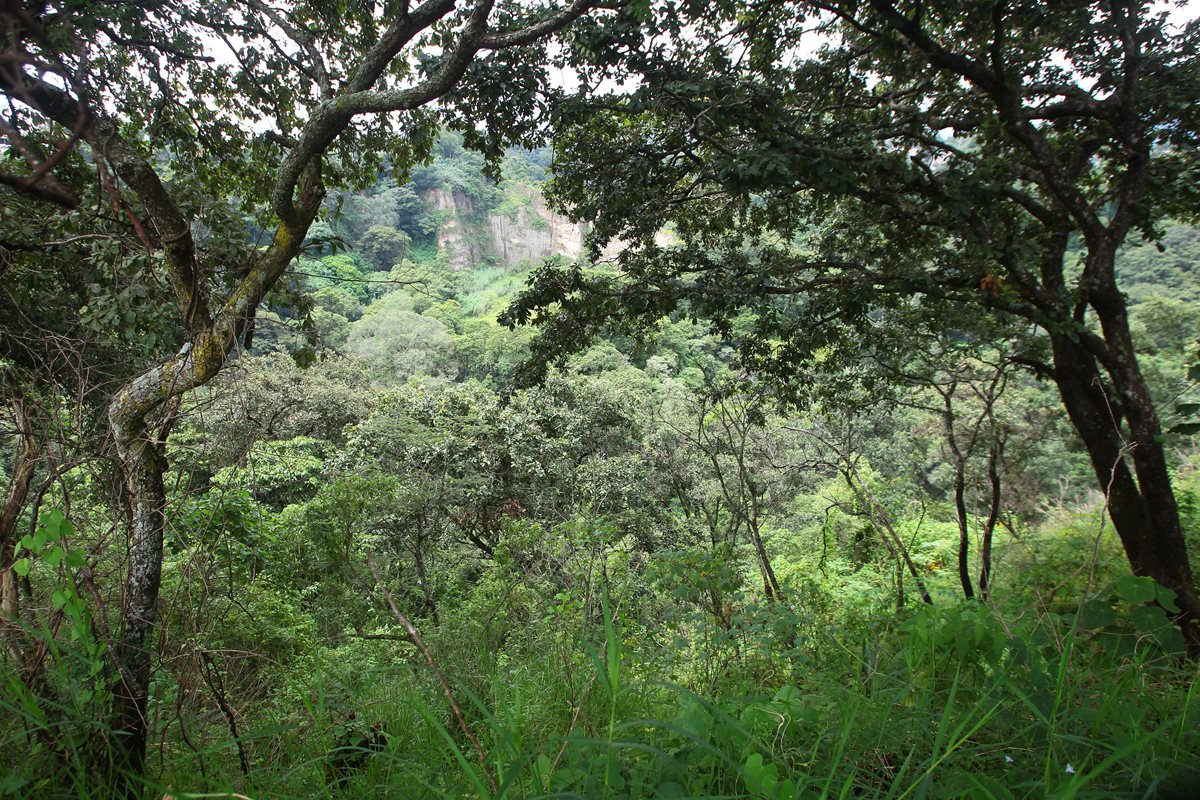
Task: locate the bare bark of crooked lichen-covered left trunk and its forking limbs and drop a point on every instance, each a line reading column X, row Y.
column 136, row 411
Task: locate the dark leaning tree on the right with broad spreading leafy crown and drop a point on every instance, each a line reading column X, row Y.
column 956, row 161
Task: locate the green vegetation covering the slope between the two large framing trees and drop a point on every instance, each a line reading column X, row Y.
column 581, row 560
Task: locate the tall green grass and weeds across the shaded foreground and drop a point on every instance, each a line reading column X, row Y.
column 951, row 707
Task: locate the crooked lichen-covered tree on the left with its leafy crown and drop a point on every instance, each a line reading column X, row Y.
column 170, row 131
